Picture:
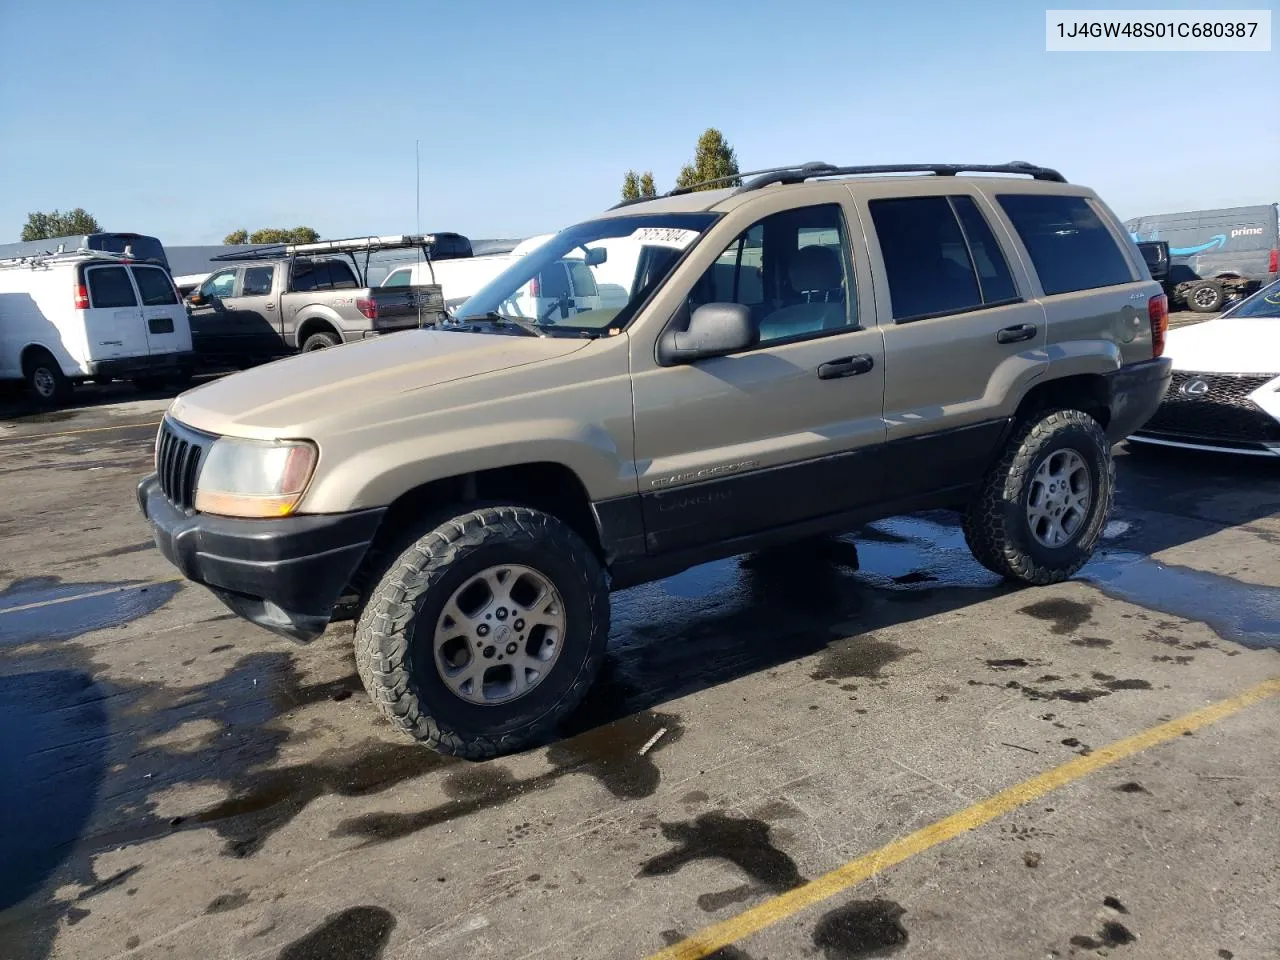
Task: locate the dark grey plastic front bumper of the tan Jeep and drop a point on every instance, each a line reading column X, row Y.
column 286, row 575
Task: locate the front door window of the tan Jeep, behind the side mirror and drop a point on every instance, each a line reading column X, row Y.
column 794, row 271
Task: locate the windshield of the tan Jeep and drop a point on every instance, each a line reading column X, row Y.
column 589, row 277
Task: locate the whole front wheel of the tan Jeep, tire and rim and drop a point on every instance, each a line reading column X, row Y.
column 486, row 633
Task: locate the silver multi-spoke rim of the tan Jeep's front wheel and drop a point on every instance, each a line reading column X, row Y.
column 500, row 636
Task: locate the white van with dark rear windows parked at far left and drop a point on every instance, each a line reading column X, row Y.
column 88, row 316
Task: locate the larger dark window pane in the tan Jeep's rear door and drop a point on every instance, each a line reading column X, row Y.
column 925, row 257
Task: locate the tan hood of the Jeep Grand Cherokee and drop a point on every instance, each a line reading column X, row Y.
column 285, row 397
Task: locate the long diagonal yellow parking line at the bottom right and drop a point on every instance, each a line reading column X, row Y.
column 771, row 912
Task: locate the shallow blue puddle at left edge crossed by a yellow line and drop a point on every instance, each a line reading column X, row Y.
column 47, row 609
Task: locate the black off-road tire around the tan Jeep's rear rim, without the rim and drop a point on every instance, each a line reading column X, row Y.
column 995, row 523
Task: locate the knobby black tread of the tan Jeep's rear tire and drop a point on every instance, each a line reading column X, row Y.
column 985, row 528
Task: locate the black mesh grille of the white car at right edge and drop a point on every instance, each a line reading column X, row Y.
column 1224, row 412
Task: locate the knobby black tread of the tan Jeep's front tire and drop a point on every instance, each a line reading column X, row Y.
column 382, row 643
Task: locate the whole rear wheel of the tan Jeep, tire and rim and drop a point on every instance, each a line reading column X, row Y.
column 1043, row 509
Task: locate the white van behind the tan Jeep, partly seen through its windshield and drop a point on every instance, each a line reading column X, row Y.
column 564, row 289
